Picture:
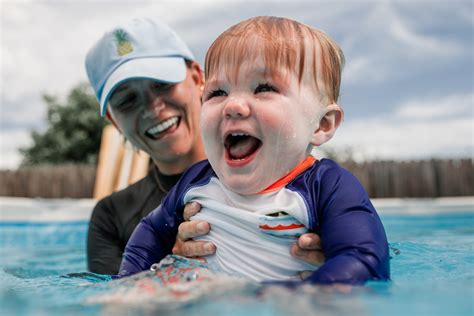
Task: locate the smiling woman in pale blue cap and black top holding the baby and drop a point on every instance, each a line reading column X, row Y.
column 149, row 85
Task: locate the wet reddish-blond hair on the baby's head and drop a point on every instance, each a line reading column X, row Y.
column 309, row 53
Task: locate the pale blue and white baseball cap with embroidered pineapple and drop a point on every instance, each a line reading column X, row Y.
column 140, row 49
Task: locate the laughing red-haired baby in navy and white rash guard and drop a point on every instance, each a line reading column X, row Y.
column 270, row 97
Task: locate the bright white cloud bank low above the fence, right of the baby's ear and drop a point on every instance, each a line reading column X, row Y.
column 417, row 129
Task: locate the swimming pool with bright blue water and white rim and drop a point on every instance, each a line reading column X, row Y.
column 432, row 268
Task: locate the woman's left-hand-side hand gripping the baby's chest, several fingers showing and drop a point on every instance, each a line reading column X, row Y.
column 184, row 245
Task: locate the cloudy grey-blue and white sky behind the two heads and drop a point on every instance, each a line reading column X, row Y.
column 407, row 86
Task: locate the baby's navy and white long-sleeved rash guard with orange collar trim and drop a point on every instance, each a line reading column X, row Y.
column 253, row 233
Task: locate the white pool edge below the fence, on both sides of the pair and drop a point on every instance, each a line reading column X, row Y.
column 14, row 209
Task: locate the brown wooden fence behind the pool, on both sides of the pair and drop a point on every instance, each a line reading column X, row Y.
column 426, row 178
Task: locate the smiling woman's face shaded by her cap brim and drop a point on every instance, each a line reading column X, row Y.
column 162, row 119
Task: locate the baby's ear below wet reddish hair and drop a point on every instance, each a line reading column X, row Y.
column 327, row 126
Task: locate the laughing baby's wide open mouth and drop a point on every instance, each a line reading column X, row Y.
column 240, row 145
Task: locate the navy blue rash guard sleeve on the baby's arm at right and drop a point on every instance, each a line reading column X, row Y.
column 352, row 235
